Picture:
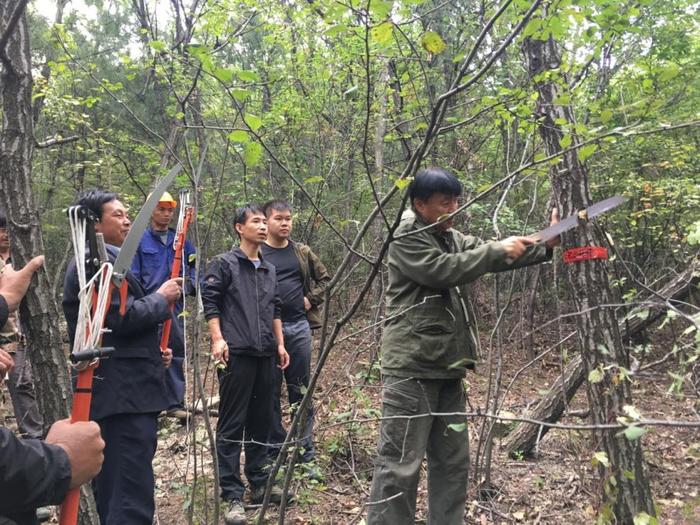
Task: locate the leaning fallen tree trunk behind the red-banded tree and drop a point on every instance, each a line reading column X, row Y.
column 525, row 437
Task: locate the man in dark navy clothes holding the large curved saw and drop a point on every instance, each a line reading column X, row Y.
column 129, row 387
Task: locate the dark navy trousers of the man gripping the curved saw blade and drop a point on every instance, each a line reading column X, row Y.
column 124, row 486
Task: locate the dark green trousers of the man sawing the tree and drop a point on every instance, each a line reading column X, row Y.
column 408, row 433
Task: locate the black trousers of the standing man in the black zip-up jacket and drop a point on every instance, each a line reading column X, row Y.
column 246, row 388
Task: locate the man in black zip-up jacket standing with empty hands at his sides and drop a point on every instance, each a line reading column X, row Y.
column 242, row 307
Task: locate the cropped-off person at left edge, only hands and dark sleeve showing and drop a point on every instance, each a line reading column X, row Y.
column 35, row 473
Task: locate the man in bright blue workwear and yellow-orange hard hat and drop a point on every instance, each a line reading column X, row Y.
column 152, row 266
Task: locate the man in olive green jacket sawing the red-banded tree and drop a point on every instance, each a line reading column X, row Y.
column 427, row 347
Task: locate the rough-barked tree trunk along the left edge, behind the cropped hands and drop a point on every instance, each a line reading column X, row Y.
column 38, row 312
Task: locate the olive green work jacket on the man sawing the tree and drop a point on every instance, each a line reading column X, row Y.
column 427, row 331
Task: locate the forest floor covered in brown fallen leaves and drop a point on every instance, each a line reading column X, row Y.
column 558, row 486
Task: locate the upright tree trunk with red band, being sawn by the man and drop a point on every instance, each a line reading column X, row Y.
column 626, row 488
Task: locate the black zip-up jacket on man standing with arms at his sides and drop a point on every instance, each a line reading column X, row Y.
column 245, row 300
